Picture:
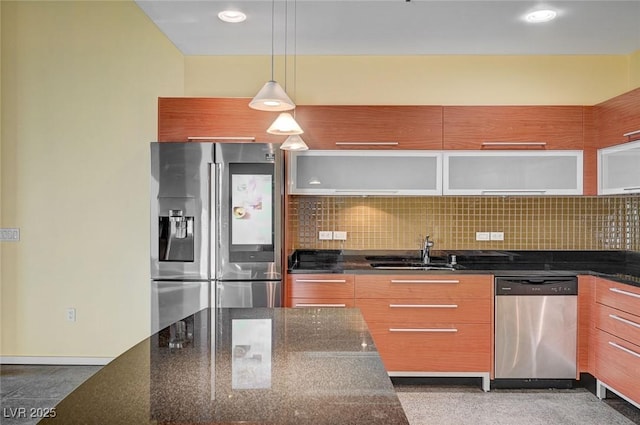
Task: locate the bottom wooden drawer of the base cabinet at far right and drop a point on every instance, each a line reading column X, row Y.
column 618, row 364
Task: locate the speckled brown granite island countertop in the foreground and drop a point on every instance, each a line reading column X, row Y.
column 252, row 366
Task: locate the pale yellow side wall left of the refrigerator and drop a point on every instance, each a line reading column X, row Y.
column 80, row 82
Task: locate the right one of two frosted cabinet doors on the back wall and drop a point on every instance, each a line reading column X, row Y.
column 512, row 173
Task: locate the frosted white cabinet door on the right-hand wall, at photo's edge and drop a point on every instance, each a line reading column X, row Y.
column 619, row 169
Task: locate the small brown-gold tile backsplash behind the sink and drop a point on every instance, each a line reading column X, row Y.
column 528, row 223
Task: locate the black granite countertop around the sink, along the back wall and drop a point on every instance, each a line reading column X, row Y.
column 622, row 266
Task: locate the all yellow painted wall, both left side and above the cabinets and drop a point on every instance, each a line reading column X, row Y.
column 79, row 87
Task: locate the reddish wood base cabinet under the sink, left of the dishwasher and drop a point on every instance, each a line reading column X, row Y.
column 430, row 325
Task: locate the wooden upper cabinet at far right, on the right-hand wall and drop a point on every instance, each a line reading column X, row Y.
column 616, row 118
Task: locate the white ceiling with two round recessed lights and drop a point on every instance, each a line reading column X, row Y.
column 399, row 27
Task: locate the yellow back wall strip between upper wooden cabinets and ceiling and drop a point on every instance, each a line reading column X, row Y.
column 439, row 80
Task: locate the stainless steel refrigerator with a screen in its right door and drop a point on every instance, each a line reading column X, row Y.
column 216, row 227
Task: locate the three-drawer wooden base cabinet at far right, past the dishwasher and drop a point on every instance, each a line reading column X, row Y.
column 616, row 339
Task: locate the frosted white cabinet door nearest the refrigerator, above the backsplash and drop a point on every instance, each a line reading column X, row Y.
column 365, row 173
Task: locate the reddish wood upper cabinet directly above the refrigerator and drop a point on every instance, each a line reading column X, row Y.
column 181, row 119
